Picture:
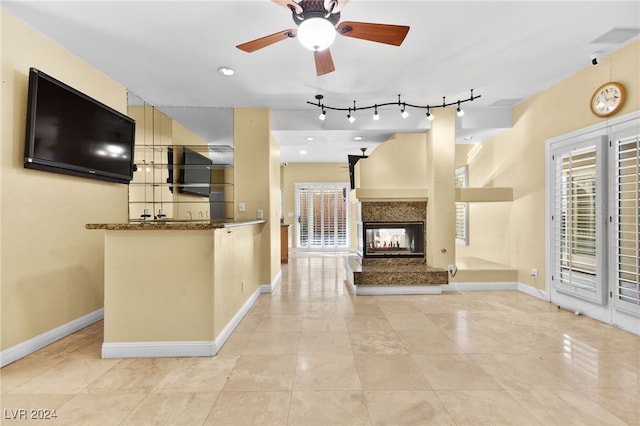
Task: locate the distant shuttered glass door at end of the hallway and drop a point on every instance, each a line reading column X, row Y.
column 322, row 212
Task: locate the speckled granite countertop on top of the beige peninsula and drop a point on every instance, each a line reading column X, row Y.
column 173, row 225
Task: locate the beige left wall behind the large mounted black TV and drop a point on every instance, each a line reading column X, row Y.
column 51, row 267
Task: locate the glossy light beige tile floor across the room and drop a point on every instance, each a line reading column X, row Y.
column 314, row 354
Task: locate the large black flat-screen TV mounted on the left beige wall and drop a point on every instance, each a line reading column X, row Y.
column 71, row 133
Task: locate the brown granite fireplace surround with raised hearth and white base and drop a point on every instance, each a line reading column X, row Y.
column 404, row 275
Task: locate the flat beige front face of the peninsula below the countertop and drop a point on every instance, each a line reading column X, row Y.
column 155, row 293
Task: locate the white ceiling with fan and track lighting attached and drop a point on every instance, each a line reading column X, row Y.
column 166, row 53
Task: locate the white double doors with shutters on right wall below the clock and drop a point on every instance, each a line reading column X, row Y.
column 593, row 256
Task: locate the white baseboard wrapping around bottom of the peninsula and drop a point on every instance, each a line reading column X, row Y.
column 179, row 349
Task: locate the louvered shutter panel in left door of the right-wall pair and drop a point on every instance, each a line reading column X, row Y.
column 577, row 237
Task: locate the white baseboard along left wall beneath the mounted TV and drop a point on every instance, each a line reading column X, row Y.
column 27, row 347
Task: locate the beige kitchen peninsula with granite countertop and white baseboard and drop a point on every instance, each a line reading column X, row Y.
column 177, row 288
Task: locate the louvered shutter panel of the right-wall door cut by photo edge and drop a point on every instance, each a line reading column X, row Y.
column 626, row 224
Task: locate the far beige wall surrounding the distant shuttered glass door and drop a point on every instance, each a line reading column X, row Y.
column 294, row 173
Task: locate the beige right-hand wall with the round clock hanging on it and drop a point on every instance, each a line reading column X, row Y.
column 514, row 233
